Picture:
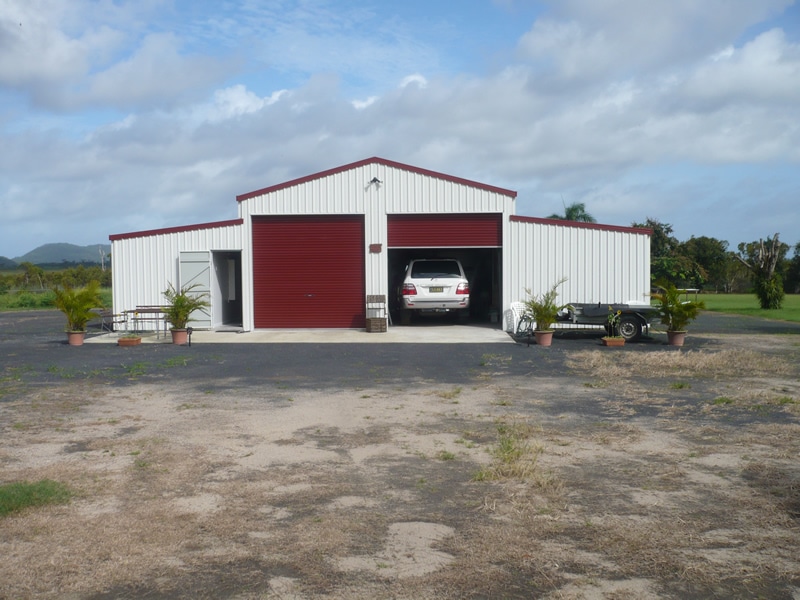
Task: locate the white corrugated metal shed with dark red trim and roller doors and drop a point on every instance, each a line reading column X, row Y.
column 306, row 253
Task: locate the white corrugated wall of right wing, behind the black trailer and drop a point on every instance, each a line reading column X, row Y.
column 600, row 264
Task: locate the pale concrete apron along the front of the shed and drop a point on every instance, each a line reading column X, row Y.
column 411, row 334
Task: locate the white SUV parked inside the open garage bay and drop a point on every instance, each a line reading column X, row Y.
column 435, row 285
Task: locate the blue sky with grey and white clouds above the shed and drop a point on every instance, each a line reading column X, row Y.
column 120, row 116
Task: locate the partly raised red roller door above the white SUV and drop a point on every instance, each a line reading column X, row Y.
column 445, row 231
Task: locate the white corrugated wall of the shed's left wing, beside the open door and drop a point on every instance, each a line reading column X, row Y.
column 143, row 266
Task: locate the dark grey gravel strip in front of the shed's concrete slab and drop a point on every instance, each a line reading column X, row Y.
column 34, row 346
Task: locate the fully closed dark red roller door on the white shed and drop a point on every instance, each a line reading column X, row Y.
column 308, row 271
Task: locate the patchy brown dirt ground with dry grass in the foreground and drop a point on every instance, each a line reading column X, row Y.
column 653, row 473
